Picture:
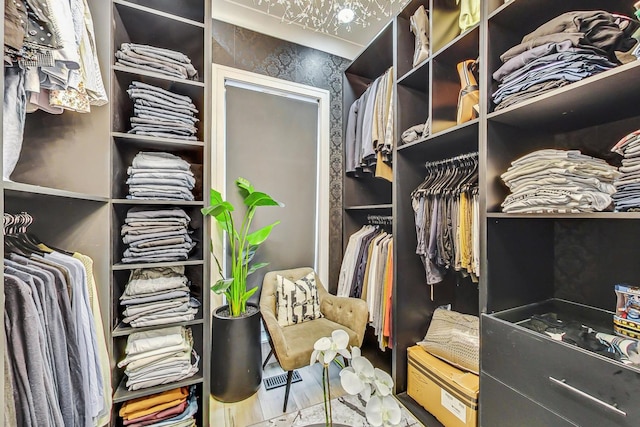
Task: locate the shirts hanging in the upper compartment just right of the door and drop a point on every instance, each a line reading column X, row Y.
column 370, row 131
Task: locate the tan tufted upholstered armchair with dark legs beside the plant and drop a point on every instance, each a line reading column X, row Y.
column 293, row 345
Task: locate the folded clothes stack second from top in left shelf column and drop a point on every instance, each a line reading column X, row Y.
column 158, row 112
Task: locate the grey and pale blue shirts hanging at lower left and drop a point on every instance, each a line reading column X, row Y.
column 59, row 360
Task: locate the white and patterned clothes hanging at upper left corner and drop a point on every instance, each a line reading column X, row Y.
column 51, row 64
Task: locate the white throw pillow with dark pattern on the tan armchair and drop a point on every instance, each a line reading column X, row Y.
column 298, row 301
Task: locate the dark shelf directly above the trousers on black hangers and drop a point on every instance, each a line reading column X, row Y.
column 455, row 140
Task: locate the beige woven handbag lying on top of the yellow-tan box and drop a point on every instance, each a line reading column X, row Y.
column 455, row 338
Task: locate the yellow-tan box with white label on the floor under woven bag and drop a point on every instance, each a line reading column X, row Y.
column 449, row 394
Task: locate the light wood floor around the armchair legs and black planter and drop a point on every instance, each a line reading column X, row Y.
column 265, row 404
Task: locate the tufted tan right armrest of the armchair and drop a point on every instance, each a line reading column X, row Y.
column 350, row 312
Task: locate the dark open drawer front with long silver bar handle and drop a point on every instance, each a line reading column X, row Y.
column 583, row 387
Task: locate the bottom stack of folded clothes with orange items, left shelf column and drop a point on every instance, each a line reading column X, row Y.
column 171, row 408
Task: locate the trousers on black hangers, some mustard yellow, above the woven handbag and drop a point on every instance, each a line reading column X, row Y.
column 447, row 217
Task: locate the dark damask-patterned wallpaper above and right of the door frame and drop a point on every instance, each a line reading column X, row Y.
column 250, row 51
